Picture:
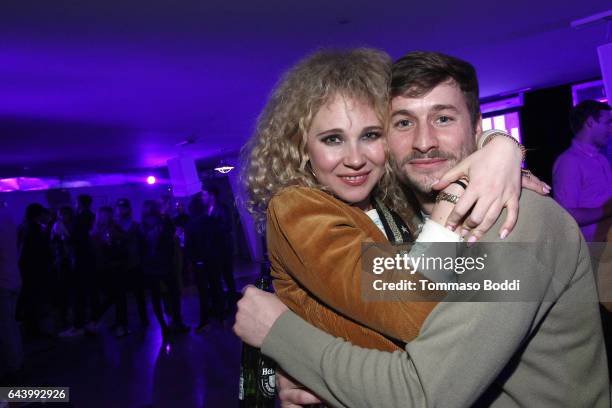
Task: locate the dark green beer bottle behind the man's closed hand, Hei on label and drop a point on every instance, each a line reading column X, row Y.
column 257, row 372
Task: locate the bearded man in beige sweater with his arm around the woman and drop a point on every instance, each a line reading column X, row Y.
column 544, row 352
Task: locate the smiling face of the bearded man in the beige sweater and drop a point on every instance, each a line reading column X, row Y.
column 430, row 134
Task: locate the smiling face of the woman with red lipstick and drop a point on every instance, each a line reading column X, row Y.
column 345, row 148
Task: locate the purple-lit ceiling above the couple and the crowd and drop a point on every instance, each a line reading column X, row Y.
column 115, row 86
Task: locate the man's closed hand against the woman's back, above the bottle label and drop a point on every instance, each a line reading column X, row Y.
column 257, row 312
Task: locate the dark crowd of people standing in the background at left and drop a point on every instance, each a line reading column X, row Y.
column 75, row 264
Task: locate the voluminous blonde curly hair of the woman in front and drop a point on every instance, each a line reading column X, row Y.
column 275, row 157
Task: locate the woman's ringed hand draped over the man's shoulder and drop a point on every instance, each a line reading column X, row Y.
column 495, row 183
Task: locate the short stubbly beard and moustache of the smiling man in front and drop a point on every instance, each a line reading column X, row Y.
column 421, row 182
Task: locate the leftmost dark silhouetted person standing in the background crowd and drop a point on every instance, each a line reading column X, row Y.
column 34, row 264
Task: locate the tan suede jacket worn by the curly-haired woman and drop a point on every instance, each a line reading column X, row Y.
column 314, row 246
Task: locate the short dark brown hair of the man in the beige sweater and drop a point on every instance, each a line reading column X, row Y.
column 418, row 72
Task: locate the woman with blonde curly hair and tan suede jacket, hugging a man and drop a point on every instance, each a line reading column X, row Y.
column 317, row 167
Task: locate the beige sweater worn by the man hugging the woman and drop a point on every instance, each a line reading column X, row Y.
column 548, row 352
